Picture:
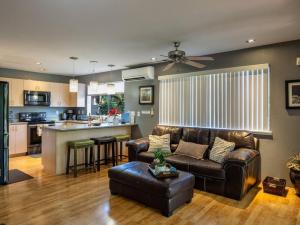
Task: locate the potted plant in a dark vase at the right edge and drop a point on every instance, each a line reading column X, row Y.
column 294, row 165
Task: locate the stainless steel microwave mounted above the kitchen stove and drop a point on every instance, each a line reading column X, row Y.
column 37, row 98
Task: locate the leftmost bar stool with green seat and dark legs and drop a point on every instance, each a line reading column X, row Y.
column 77, row 145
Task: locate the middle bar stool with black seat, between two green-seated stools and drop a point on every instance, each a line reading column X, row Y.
column 107, row 141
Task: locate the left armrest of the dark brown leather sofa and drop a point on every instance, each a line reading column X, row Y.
column 137, row 146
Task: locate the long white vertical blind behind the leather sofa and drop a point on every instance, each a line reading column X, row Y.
column 232, row 98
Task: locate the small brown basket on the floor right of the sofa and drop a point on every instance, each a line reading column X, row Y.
column 275, row 186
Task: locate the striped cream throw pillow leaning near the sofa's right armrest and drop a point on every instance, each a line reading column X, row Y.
column 220, row 149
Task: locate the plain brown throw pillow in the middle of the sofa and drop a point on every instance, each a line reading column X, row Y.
column 191, row 149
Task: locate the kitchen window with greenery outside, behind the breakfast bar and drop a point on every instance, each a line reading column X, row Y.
column 105, row 97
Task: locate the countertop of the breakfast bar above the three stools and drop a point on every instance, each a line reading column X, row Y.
column 74, row 127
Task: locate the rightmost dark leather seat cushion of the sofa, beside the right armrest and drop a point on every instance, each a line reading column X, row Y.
column 207, row 168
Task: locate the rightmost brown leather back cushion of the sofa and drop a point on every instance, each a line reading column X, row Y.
column 242, row 139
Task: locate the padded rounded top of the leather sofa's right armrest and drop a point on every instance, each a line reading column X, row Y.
column 241, row 156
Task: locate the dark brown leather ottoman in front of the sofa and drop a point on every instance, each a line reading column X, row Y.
column 134, row 181
